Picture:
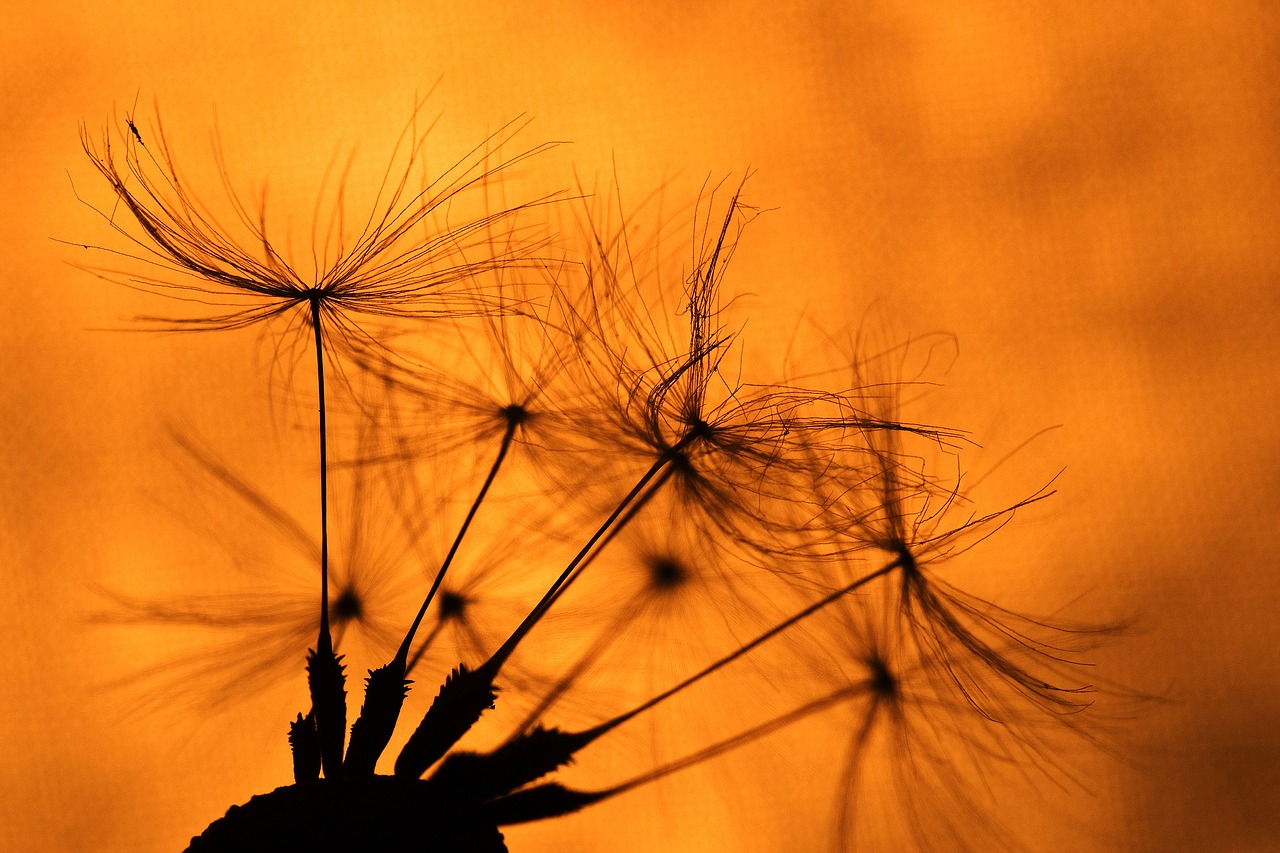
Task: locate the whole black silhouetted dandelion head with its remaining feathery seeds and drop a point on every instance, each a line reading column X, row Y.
column 588, row 398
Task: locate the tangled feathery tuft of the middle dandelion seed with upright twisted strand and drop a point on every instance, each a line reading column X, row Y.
column 744, row 455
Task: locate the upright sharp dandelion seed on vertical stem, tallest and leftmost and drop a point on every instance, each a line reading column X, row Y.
column 390, row 272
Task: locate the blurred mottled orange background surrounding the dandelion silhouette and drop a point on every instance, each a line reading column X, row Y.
column 1085, row 194
